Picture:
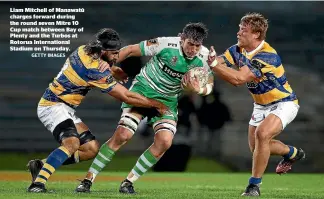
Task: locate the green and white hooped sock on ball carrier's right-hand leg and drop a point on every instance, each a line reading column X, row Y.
column 145, row 162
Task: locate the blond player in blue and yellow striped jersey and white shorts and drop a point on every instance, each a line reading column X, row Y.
column 275, row 103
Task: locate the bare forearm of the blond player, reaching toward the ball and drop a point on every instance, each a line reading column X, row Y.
column 228, row 74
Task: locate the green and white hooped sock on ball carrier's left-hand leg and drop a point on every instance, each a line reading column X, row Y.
column 101, row 160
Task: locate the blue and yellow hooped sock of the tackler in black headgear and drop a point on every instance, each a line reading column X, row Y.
column 53, row 161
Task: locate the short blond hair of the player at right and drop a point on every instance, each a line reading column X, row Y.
column 257, row 22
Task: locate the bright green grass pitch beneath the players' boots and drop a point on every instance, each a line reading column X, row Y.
column 13, row 185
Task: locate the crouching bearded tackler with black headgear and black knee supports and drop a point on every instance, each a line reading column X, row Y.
column 56, row 109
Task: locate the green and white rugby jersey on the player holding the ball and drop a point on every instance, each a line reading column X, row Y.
column 164, row 71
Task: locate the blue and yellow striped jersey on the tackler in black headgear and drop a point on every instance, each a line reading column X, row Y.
column 78, row 76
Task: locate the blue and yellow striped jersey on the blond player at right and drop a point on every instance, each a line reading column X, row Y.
column 271, row 85
